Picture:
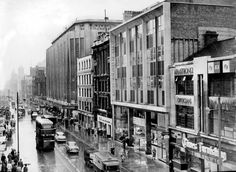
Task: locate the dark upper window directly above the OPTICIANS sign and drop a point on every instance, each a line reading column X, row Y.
column 184, row 85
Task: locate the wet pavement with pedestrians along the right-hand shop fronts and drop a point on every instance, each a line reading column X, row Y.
column 134, row 161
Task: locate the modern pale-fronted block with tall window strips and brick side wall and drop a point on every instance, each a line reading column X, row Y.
column 141, row 51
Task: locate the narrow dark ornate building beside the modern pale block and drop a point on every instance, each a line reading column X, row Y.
column 101, row 83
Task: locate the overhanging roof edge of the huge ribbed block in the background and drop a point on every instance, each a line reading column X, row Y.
column 85, row 21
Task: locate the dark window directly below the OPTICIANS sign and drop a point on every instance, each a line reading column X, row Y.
column 185, row 116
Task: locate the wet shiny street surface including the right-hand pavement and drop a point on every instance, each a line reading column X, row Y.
column 59, row 161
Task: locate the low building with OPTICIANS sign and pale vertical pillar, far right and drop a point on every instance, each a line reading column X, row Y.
column 203, row 91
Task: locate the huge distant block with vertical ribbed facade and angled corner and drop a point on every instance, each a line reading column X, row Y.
column 61, row 62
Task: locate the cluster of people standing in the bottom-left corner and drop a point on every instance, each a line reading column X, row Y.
column 12, row 163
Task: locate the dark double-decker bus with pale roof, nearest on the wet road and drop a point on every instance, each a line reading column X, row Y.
column 45, row 134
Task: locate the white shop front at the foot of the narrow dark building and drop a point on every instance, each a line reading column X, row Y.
column 104, row 126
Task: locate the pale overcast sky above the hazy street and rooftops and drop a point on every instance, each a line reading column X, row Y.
column 27, row 27
